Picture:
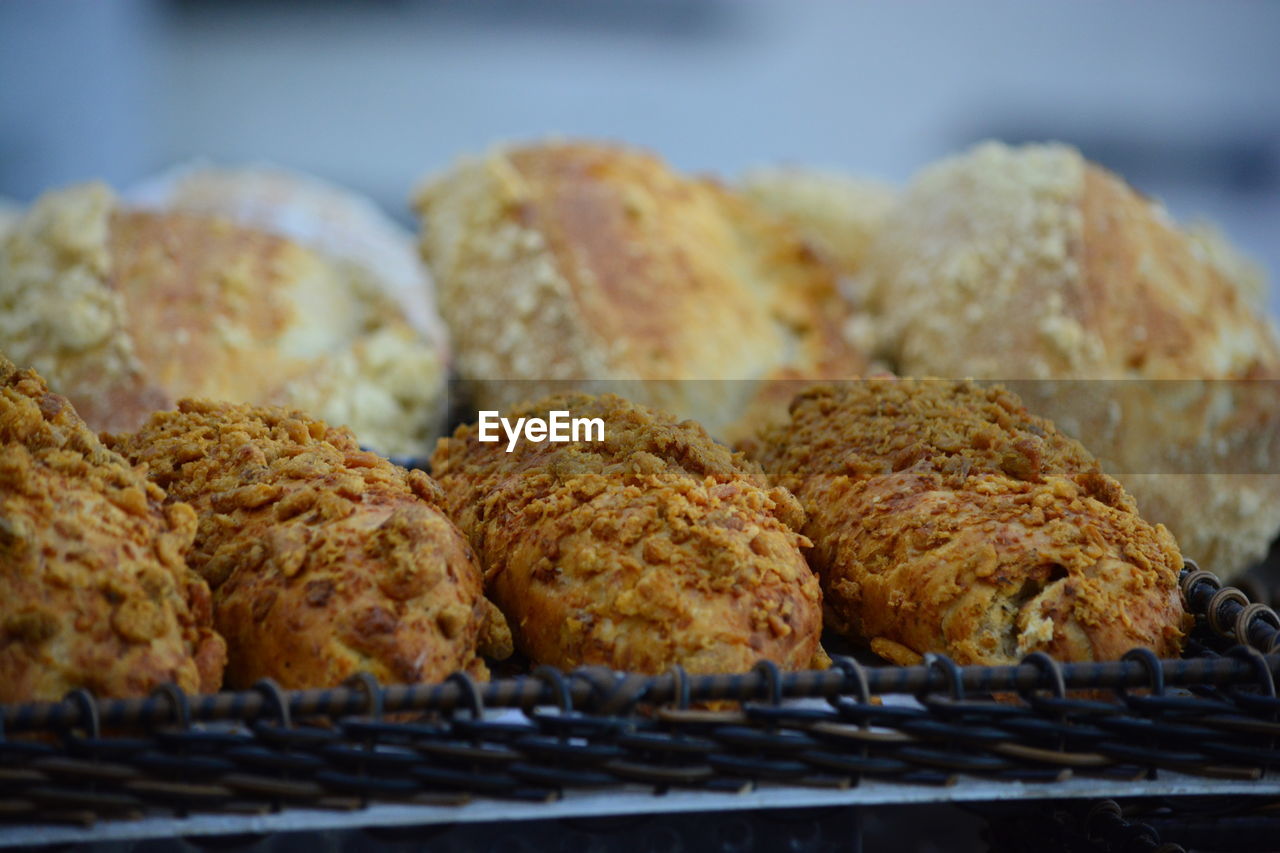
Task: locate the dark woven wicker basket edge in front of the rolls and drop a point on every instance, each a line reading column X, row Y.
column 1212, row 718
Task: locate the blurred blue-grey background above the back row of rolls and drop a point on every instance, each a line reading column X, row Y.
column 1181, row 97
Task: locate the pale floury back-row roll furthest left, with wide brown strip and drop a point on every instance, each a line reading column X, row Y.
column 127, row 311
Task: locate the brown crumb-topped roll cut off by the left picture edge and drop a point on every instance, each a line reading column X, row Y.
column 95, row 591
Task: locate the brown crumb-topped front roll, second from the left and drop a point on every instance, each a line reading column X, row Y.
column 324, row 559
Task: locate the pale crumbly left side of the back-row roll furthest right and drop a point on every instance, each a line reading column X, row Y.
column 976, row 241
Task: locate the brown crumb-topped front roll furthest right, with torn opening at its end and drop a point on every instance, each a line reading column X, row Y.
column 947, row 518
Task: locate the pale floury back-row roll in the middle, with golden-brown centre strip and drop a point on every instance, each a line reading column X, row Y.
column 580, row 262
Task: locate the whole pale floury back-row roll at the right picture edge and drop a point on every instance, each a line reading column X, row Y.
column 1034, row 264
